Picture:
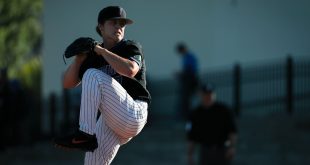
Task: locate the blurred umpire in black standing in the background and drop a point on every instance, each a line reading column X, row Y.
column 211, row 127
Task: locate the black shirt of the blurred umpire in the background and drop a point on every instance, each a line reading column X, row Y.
column 211, row 125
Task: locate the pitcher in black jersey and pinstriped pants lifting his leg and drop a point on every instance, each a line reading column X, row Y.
column 113, row 82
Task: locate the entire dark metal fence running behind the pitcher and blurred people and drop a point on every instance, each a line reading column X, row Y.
column 282, row 85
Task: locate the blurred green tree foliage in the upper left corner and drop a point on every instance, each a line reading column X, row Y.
column 20, row 40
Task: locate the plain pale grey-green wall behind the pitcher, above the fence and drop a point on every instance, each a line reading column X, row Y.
column 220, row 32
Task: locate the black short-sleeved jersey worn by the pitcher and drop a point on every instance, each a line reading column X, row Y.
column 136, row 87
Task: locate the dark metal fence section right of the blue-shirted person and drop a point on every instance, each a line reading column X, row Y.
column 274, row 86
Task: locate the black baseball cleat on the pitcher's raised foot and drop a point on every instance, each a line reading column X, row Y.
column 78, row 140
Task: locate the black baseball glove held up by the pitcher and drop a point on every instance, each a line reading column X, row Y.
column 81, row 45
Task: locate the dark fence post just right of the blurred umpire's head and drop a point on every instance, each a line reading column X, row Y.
column 237, row 89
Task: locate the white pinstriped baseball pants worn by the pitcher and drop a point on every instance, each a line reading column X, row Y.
column 121, row 117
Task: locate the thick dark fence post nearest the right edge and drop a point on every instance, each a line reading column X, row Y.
column 289, row 84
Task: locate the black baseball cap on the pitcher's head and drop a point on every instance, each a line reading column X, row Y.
column 113, row 12
